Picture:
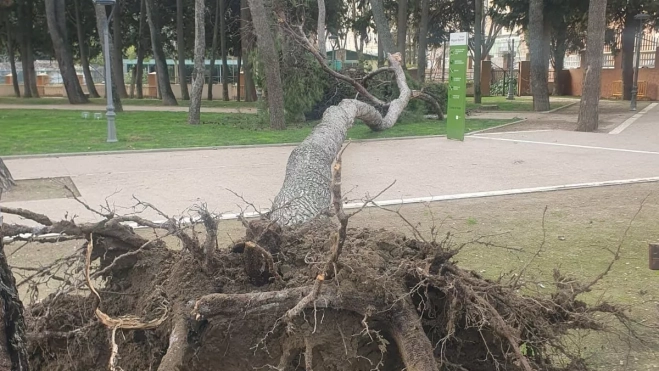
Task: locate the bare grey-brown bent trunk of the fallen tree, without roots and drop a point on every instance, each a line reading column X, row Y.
column 306, row 189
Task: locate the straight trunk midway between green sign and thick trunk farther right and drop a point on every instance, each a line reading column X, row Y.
column 539, row 59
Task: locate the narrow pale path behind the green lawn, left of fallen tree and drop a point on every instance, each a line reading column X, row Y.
column 127, row 108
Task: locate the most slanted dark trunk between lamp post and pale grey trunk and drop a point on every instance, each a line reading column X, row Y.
column 164, row 86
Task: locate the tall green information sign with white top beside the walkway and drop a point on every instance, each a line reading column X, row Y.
column 457, row 89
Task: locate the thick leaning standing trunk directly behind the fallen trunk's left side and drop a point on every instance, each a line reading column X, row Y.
column 270, row 59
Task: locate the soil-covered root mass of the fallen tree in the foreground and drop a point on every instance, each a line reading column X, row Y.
column 232, row 310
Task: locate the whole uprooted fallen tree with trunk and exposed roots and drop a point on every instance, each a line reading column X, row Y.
column 300, row 291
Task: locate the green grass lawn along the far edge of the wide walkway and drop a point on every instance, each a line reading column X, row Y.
column 55, row 131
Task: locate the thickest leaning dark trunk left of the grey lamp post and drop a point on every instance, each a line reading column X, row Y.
column 56, row 18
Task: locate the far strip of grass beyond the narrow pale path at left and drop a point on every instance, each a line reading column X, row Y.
column 128, row 102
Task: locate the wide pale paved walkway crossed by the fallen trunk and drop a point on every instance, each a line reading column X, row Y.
column 486, row 162
